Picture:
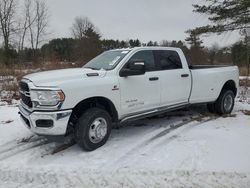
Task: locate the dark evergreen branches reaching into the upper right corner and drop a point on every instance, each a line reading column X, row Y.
column 225, row 15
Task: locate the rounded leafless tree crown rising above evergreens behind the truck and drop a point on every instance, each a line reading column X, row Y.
column 80, row 26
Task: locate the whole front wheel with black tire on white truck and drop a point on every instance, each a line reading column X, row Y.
column 93, row 129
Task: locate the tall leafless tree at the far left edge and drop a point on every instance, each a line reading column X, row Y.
column 7, row 14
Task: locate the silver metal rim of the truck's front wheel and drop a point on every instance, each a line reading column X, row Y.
column 98, row 130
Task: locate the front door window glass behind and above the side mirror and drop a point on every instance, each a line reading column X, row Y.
column 147, row 56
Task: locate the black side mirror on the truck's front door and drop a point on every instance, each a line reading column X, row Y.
column 136, row 67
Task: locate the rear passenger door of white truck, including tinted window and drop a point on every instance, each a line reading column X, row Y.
column 175, row 80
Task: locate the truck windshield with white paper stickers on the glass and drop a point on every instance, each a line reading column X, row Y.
column 107, row 60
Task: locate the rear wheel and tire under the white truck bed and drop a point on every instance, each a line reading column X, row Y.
column 225, row 102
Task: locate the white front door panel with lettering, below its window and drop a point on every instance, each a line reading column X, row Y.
column 139, row 94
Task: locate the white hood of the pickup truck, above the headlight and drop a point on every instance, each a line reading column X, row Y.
column 56, row 77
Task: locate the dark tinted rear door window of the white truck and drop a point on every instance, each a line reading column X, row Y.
column 168, row 60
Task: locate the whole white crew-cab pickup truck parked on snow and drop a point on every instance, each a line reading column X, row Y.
column 119, row 86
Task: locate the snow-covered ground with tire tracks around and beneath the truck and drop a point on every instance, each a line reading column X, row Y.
column 188, row 148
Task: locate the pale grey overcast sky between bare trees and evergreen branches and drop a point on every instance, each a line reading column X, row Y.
column 124, row 19
